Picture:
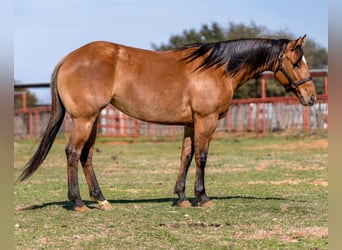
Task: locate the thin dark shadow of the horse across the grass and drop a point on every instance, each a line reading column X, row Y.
column 67, row 205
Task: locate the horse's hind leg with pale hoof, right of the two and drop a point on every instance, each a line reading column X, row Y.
column 87, row 165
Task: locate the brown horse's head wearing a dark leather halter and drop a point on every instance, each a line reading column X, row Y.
column 293, row 73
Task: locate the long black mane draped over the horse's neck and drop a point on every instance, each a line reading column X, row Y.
column 251, row 54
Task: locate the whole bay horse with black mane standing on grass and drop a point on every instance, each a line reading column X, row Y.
column 191, row 86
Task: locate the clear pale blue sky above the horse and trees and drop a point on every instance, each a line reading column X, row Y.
column 46, row 31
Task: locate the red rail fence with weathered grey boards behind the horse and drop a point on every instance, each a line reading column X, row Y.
column 258, row 115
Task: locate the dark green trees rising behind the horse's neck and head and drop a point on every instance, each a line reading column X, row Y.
column 317, row 56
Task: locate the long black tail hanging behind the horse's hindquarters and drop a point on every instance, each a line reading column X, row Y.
column 55, row 122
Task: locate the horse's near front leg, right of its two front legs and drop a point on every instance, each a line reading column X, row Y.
column 204, row 130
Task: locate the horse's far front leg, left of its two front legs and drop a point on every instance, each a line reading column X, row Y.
column 186, row 157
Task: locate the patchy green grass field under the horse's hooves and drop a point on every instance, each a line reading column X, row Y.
column 270, row 193
